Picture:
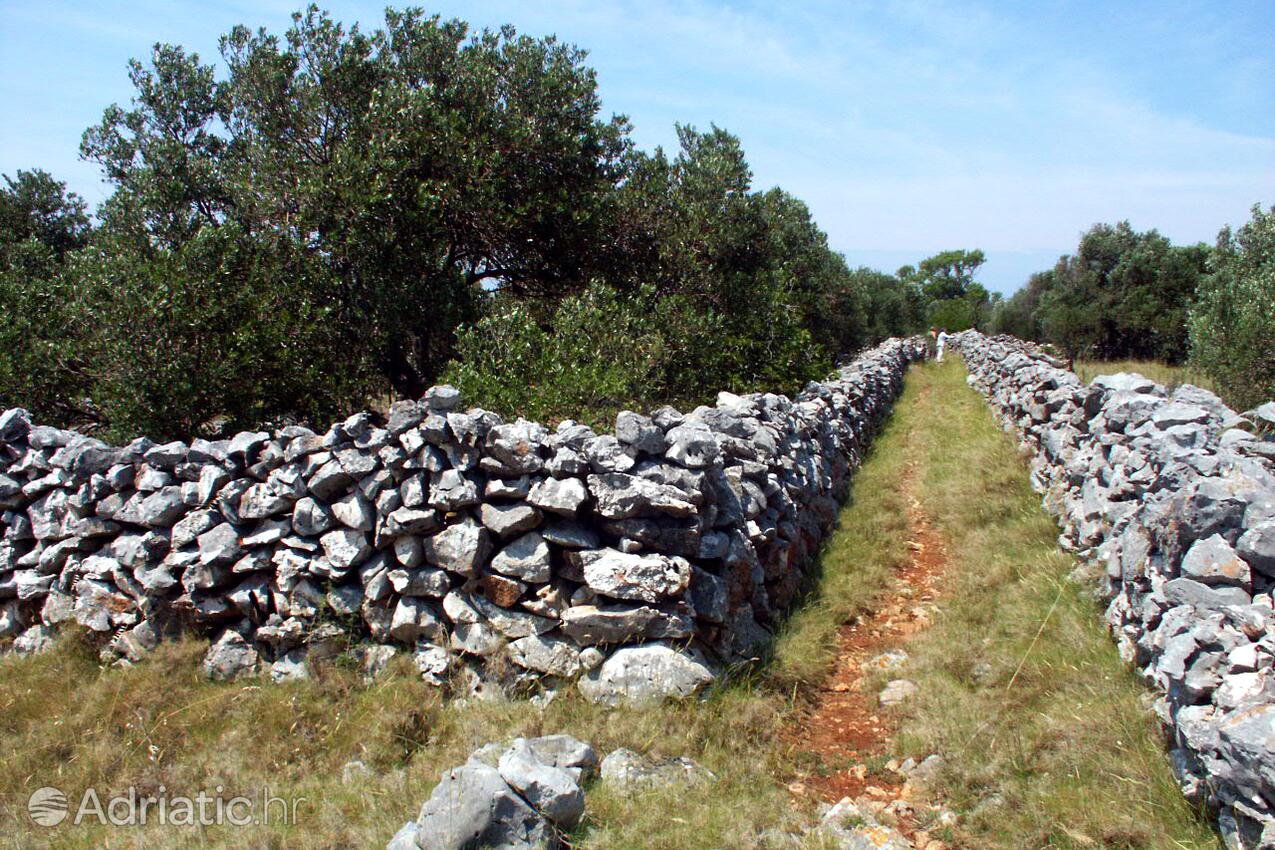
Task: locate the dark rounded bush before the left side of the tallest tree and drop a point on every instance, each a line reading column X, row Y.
column 222, row 335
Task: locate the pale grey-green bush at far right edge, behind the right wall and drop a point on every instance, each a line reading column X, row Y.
column 1234, row 319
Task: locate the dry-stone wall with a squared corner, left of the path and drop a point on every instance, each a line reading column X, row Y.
column 638, row 560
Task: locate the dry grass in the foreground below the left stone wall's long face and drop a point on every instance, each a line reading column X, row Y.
column 71, row 726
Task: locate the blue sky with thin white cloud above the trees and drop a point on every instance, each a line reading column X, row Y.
column 910, row 128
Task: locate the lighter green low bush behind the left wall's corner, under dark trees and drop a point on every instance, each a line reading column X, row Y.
column 592, row 355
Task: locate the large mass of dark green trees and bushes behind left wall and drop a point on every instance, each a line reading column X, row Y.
column 337, row 216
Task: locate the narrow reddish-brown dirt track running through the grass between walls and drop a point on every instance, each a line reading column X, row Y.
column 846, row 728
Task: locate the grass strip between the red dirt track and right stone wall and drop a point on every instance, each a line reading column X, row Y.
column 1047, row 736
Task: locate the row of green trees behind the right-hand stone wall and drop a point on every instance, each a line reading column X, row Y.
column 1134, row 296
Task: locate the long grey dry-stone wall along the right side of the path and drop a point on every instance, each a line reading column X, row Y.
column 1172, row 498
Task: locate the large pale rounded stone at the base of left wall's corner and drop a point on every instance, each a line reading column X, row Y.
column 651, row 672
